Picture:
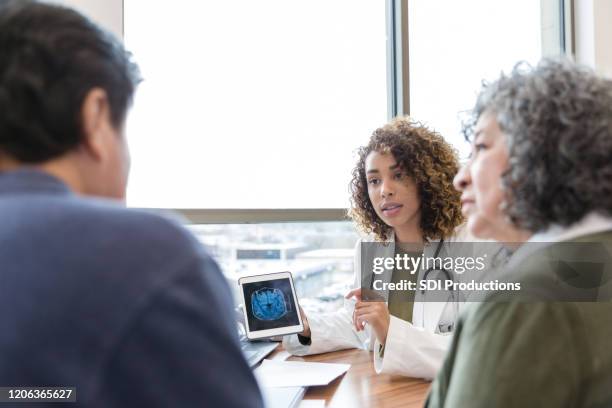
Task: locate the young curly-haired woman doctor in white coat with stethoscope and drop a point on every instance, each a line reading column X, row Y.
column 402, row 192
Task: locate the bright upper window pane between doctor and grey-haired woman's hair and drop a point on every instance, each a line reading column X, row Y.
column 454, row 45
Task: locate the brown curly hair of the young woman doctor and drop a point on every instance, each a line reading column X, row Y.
column 429, row 160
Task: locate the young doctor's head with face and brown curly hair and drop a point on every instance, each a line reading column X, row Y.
column 421, row 166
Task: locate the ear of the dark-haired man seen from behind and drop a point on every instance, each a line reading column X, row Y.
column 96, row 123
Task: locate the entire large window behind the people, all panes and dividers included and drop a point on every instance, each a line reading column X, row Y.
column 252, row 111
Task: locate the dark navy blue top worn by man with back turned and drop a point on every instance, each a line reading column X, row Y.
column 124, row 305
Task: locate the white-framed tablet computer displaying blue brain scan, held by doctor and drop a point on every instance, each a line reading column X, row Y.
column 270, row 305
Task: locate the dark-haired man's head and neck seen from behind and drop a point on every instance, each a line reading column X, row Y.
column 65, row 90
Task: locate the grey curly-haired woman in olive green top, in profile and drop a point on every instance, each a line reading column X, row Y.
column 540, row 172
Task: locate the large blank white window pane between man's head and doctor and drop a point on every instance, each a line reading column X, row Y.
column 252, row 104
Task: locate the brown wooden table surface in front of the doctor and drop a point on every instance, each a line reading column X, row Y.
column 361, row 386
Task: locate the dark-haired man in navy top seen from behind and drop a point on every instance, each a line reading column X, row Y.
column 123, row 305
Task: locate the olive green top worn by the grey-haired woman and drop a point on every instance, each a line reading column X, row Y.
column 514, row 352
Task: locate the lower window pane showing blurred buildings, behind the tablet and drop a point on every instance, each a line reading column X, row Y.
column 319, row 255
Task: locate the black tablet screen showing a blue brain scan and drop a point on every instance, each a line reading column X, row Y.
column 269, row 304
